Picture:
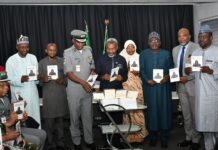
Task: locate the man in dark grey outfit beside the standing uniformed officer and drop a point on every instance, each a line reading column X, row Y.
column 54, row 105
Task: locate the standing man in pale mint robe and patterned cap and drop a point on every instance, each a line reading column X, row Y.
column 16, row 67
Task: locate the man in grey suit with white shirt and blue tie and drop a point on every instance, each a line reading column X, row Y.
column 181, row 57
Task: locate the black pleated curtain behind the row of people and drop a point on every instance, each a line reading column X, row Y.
column 45, row 24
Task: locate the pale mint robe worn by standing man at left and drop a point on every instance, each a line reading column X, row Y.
column 16, row 67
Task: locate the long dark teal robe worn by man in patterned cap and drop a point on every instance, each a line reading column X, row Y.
column 158, row 96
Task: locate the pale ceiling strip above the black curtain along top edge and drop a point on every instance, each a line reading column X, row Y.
column 102, row 2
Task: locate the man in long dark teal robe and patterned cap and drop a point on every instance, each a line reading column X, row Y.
column 157, row 96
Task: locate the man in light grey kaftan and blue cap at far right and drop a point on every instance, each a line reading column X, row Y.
column 206, row 87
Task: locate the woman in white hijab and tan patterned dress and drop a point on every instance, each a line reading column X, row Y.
column 134, row 83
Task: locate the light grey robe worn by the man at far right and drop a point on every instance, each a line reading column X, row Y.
column 206, row 88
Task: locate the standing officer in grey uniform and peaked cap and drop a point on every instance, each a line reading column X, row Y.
column 78, row 65
